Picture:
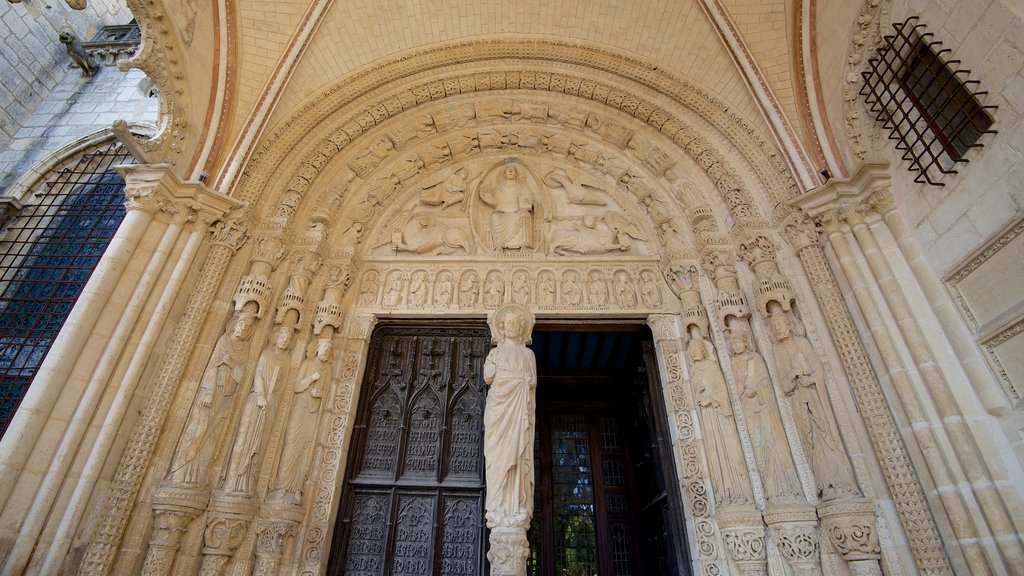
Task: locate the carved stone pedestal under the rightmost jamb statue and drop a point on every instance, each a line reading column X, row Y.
column 851, row 529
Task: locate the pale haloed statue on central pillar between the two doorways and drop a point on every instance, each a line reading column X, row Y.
column 510, row 372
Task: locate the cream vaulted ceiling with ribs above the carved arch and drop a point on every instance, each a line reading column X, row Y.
column 239, row 69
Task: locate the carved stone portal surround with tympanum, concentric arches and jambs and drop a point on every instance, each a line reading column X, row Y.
column 644, row 193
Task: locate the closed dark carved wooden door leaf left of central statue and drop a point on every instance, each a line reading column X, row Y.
column 413, row 503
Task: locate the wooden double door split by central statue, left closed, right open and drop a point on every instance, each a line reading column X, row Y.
column 413, row 503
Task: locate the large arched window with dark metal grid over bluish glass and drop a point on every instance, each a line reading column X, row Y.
column 48, row 254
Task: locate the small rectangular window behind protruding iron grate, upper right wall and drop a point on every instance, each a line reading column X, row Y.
column 929, row 106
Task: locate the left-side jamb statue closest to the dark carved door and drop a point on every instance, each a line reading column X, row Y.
column 301, row 432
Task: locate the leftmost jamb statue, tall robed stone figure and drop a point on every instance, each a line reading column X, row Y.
column 214, row 403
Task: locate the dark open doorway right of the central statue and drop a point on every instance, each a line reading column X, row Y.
column 603, row 468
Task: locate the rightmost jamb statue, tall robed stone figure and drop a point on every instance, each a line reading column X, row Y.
column 802, row 380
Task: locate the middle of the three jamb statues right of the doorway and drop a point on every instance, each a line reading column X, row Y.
column 764, row 425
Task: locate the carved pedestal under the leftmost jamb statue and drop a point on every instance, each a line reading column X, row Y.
column 175, row 508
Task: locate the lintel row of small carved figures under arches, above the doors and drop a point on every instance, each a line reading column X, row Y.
column 595, row 289
